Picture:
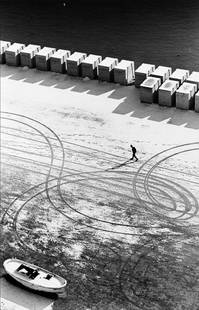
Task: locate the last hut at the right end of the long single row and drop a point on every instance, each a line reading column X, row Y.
column 124, row 72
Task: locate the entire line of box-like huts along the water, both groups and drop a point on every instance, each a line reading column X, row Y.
column 157, row 85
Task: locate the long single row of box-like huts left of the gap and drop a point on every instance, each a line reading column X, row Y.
column 63, row 61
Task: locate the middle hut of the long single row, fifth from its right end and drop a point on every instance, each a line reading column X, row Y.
column 58, row 61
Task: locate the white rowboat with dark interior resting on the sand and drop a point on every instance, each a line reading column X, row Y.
column 34, row 277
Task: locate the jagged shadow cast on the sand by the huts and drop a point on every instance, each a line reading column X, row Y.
column 129, row 95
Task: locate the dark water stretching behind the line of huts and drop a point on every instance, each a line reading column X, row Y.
column 159, row 32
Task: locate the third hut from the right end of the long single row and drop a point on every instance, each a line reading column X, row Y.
column 89, row 66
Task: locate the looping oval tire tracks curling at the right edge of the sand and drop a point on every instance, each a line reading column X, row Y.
column 178, row 202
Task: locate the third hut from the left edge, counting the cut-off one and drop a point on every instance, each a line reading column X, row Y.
column 27, row 55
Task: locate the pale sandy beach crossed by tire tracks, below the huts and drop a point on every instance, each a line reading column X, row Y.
column 123, row 233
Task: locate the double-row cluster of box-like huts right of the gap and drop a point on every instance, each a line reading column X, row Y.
column 161, row 85
